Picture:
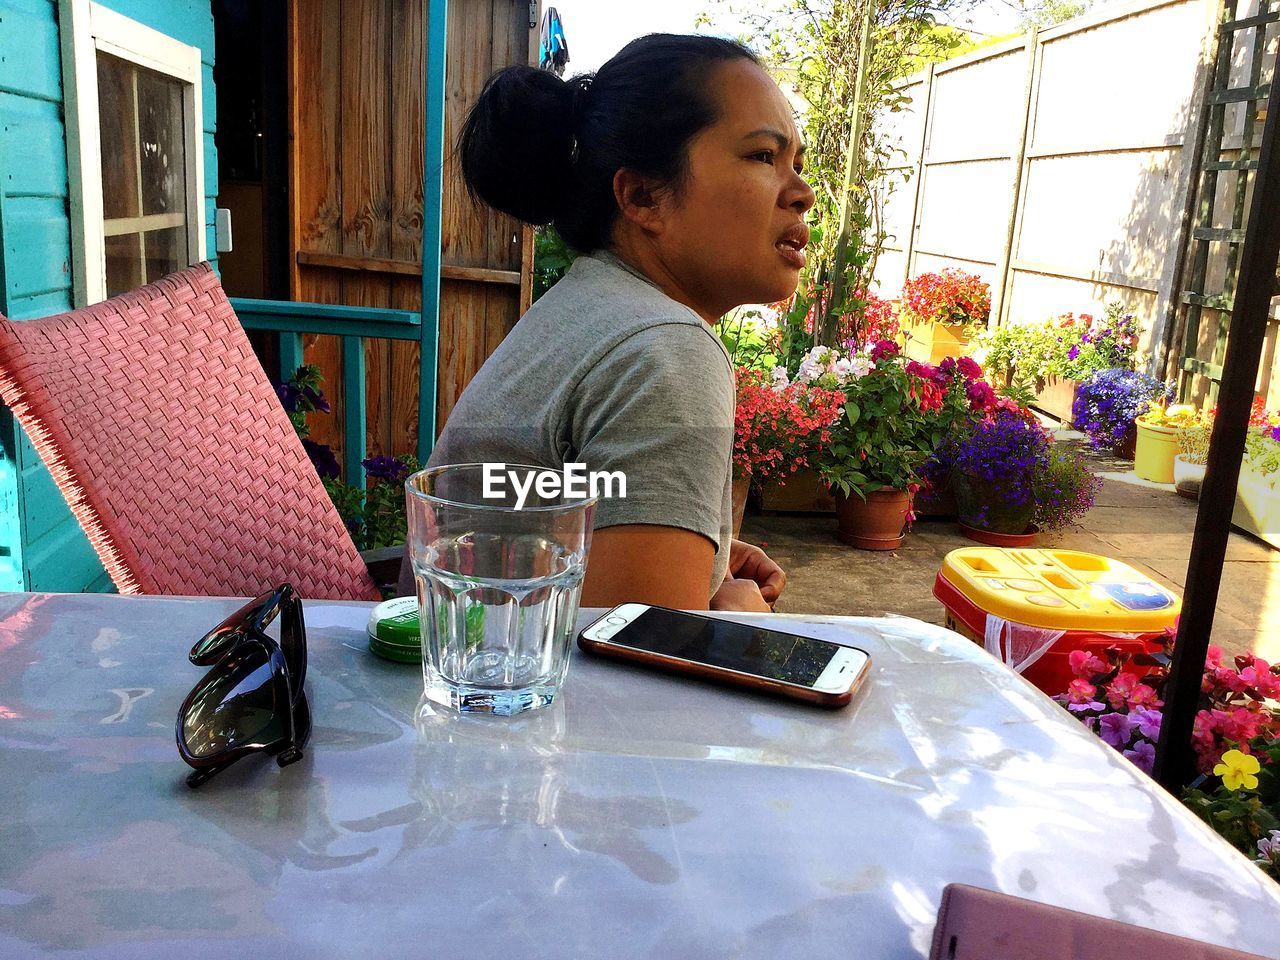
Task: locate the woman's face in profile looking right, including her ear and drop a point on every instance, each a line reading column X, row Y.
column 735, row 232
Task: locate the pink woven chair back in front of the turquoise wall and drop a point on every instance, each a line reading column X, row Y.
column 163, row 433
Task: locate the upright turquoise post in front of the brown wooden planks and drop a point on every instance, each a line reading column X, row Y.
column 433, row 198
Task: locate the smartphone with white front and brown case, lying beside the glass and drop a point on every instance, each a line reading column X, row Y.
column 728, row 652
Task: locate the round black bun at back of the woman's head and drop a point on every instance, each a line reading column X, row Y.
column 518, row 143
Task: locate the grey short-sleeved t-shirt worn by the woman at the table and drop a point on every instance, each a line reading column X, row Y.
column 610, row 372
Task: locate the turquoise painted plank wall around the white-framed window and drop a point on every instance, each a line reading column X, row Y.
column 42, row 547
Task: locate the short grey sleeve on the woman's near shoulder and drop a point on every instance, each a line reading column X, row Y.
column 660, row 409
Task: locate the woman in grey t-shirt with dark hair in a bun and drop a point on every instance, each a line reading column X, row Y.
column 676, row 170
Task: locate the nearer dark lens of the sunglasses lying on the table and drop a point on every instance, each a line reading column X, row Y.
column 236, row 707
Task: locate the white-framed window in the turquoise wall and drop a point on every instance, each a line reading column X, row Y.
column 135, row 144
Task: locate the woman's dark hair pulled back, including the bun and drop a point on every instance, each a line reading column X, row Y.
column 546, row 150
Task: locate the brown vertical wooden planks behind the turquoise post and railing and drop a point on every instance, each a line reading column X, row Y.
column 358, row 80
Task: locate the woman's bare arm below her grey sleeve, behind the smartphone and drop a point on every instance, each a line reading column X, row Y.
column 661, row 565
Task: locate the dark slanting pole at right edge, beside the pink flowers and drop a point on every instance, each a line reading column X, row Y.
column 1261, row 253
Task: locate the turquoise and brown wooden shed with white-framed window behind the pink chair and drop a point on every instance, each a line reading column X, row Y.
column 126, row 125
